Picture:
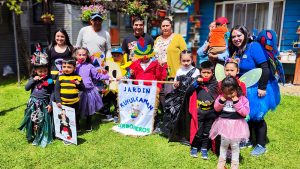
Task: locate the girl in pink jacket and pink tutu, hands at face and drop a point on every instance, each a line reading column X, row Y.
column 231, row 125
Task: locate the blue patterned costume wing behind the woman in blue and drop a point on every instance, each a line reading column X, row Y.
column 268, row 41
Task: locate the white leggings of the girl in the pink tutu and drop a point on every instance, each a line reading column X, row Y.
column 235, row 149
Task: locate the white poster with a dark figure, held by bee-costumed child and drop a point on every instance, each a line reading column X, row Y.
column 65, row 123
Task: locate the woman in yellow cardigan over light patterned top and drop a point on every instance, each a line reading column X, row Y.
column 168, row 47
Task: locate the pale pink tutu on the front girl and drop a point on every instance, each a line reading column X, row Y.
column 233, row 129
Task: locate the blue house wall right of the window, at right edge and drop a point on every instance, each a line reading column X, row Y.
column 290, row 24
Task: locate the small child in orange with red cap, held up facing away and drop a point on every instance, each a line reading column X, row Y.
column 217, row 40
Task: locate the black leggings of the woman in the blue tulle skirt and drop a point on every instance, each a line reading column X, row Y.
column 260, row 130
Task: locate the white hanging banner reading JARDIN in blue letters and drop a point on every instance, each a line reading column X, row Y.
column 136, row 104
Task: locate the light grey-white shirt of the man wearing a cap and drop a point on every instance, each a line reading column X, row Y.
column 94, row 41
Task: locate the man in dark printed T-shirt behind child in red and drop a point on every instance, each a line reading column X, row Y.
column 130, row 41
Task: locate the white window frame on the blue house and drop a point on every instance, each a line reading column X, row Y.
column 270, row 12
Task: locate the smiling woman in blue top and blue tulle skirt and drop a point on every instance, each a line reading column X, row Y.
column 265, row 94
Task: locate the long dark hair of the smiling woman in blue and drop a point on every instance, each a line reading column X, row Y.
column 231, row 47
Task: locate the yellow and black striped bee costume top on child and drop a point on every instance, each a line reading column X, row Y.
column 66, row 91
